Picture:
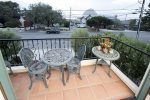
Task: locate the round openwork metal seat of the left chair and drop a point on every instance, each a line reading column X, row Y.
column 38, row 68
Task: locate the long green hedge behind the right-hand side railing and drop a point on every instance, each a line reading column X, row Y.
column 131, row 62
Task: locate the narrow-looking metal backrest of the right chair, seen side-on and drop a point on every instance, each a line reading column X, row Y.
column 81, row 52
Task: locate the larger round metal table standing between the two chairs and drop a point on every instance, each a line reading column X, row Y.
column 58, row 57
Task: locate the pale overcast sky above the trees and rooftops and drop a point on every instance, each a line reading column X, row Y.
column 121, row 8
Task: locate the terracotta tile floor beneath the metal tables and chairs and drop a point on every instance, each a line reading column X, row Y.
column 97, row 86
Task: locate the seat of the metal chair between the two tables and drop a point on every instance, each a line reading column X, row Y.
column 74, row 62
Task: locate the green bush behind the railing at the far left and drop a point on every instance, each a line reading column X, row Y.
column 9, row 48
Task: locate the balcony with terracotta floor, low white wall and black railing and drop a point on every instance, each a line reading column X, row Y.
column 123, row 83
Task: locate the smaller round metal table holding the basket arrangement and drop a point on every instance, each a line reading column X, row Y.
column 105, row 56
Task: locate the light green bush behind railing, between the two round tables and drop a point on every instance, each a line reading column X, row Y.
column 89, row 41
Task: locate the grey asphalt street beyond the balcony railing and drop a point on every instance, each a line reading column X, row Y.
column 144, row 36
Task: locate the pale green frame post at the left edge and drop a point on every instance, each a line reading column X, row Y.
column 5, row 80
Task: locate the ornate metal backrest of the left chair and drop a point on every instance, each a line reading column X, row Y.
column 26, row 56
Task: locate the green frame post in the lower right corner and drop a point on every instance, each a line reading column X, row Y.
column 145, row 85
